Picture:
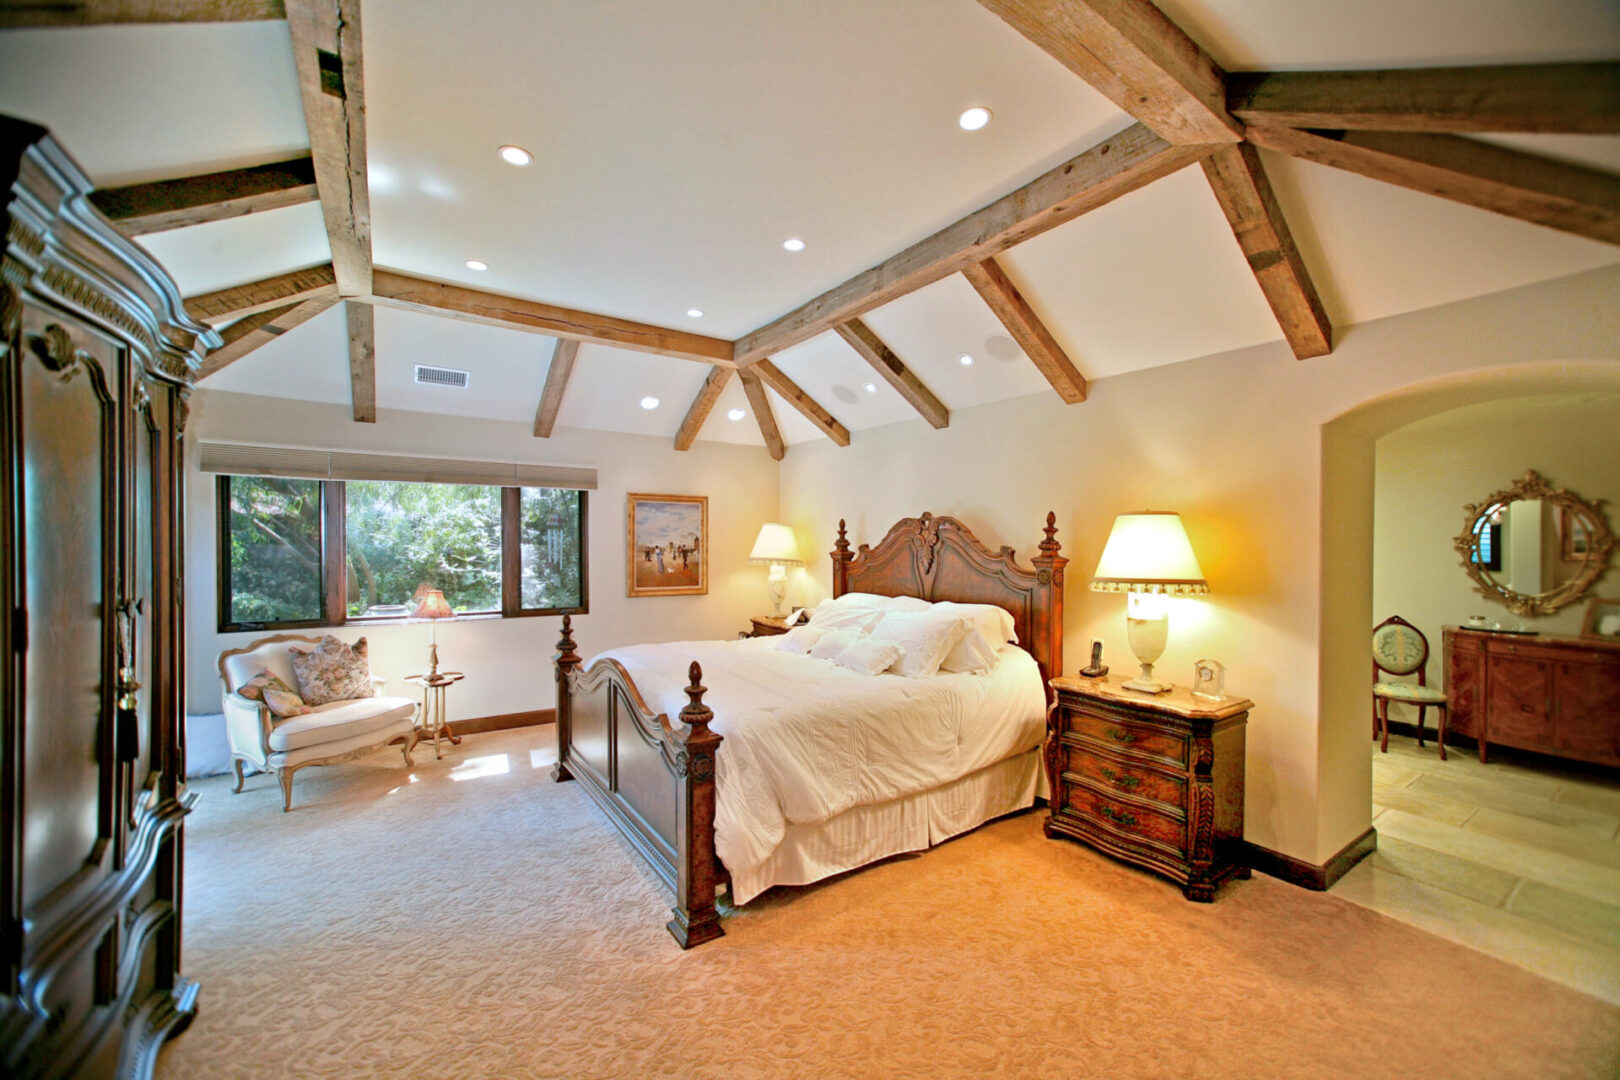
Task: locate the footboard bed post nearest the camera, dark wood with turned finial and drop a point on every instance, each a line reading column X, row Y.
column 694, row 744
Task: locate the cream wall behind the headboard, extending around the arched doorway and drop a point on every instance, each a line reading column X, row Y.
column 1235, row 443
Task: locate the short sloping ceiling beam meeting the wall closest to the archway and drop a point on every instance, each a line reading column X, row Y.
column 1245, row 193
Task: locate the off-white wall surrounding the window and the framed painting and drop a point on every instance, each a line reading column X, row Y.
column 508, row 661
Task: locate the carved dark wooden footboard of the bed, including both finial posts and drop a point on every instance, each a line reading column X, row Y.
column 652, row 778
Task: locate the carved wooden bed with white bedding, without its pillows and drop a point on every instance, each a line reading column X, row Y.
column 652, row 767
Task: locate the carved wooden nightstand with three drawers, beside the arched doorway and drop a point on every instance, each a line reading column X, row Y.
column 1151, row 780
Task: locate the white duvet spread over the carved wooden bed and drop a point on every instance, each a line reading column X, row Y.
column 806, row 741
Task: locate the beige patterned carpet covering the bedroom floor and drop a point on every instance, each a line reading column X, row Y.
column 474, row 919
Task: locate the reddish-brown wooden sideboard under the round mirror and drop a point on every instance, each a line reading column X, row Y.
column 1535, row 692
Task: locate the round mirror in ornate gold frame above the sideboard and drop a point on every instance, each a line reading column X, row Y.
column 1535, row 548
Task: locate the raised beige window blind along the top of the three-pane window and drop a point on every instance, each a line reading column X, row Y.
column 244, row 461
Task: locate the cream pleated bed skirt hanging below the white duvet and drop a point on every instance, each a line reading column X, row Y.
column 864, row 835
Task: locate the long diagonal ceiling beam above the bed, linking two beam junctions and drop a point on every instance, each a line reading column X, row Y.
column 1114, row 168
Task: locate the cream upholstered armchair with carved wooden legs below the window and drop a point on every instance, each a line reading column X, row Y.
column 328, row 734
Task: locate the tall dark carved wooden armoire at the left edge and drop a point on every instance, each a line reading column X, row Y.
column 98, row 357
